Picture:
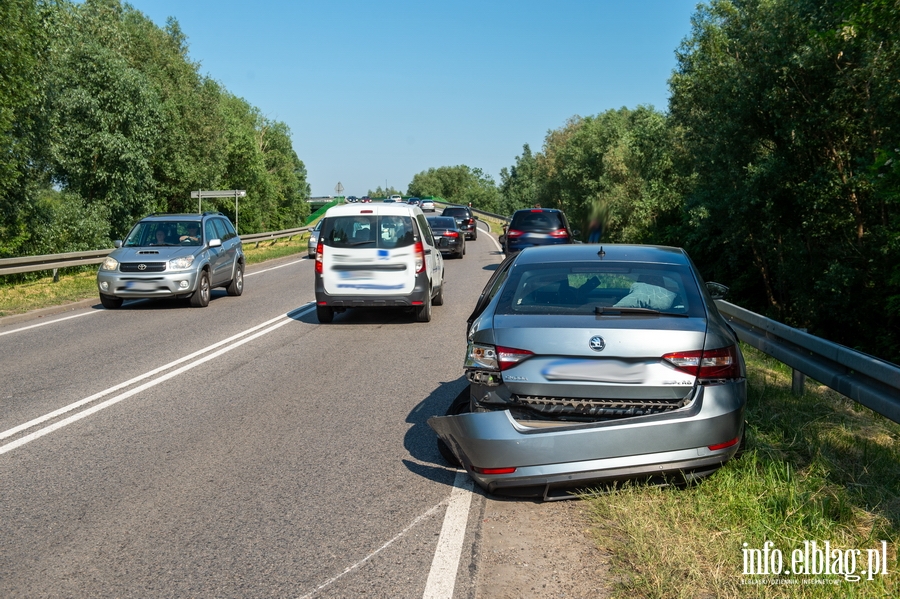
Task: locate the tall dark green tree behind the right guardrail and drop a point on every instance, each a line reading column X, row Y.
column 788, row 109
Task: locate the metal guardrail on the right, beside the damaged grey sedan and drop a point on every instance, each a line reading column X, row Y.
column 865, row 379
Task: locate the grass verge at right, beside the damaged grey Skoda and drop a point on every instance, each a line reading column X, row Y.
column 815, row 468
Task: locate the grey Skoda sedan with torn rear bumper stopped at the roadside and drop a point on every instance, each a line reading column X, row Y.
column 591, row 363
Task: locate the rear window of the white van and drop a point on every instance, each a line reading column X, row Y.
column 368, row 231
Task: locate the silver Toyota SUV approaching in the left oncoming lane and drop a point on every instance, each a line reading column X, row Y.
column 174, row 255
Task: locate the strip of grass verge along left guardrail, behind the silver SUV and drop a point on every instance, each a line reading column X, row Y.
column 77, row 285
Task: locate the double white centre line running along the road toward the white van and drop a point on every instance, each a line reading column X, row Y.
column 285, row 318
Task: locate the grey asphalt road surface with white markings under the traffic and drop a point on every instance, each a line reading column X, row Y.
column 240, row 450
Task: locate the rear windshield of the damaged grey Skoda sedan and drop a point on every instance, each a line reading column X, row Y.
column 608, row 288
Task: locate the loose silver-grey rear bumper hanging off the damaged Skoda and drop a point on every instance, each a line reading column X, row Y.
column 499, row 452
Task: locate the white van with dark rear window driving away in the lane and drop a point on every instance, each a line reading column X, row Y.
column 377, row 255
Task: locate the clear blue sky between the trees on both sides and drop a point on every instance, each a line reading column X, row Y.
column 375, row 92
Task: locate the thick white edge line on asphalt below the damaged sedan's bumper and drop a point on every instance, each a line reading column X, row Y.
column 442, row 577
